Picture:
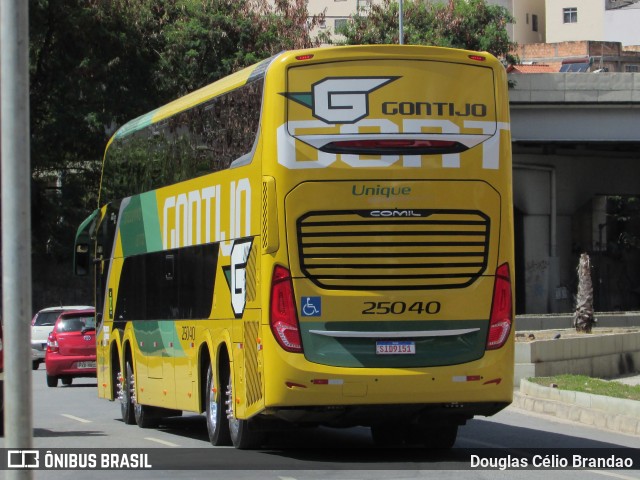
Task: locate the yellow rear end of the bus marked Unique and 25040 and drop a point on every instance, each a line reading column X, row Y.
column 387, row 239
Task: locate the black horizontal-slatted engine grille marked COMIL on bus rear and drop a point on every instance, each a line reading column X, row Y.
column 393, row 249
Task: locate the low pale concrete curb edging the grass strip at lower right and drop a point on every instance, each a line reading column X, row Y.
column 615, row 414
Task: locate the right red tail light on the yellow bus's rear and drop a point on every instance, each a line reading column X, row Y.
column 501, row 309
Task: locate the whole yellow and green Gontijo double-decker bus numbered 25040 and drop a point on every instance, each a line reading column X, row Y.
column 324, row 238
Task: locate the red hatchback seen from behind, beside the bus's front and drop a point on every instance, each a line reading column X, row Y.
column 71, row 347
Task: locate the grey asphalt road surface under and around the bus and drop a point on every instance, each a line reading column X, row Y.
column 74, row 418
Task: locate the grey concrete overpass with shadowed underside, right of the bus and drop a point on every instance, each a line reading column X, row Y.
column 576, row 140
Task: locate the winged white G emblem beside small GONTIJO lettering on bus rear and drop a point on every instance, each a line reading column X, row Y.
column 340, row 100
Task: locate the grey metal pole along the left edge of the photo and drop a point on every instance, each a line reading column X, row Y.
column 16, row 227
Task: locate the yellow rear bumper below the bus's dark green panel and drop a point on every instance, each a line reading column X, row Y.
column 359, row 397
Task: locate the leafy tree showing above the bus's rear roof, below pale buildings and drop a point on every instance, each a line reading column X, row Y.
column 469, row 24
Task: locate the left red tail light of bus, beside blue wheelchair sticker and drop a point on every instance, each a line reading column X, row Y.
column 283, row 316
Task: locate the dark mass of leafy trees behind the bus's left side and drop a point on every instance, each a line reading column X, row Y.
column 95, row 64
